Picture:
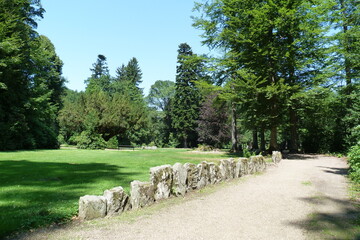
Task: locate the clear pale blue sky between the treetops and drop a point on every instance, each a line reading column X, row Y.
column 150, row 30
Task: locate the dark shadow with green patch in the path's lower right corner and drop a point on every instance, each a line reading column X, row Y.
column 343, row 224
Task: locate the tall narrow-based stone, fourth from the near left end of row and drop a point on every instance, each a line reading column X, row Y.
column 162, row 178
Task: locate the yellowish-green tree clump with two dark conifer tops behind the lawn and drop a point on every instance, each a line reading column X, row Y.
column 113, row 107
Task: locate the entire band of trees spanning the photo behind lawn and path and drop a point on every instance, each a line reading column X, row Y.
column 287, row 78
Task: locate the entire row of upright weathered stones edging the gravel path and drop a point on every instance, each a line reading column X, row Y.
column 166, row 181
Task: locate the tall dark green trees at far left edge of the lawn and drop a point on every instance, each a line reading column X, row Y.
column 30, row 79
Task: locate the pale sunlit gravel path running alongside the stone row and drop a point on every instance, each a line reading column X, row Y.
column 274, row 205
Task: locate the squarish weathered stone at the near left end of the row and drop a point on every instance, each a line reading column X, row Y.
column 91, row 207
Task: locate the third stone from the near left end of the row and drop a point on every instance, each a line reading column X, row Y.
column 142, row 194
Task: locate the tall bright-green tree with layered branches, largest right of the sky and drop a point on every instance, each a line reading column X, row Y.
column 273, row 50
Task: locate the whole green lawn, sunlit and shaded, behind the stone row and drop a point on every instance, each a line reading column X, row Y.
column 41, row 187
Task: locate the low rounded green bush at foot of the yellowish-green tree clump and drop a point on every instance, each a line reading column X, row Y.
column 88, row 140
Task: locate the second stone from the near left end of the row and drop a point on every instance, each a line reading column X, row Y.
column 117, row 201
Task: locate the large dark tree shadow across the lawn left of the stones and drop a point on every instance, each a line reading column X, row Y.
column 34, row 194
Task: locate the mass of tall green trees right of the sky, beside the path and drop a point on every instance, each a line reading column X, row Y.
column 284, row 66
